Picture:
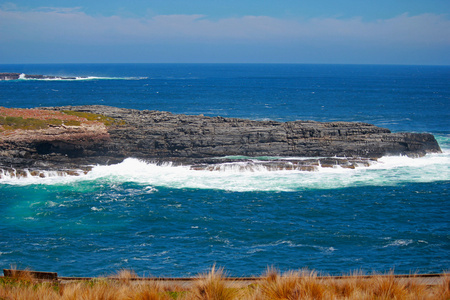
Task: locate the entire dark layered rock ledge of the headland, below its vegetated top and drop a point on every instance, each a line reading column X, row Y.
column 204, row 143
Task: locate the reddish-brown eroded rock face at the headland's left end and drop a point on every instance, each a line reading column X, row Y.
column 55, row 148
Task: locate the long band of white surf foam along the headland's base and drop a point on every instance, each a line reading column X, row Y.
column 249, row 176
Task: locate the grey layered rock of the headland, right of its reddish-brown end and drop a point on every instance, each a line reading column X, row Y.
column 160, row 135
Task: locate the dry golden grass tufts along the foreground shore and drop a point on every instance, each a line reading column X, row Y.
column 273, row 285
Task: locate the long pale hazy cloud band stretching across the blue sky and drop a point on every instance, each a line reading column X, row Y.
column 71, row 23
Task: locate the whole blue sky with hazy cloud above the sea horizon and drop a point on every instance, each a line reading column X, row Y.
column 412, row 32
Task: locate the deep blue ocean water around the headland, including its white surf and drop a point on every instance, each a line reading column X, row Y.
column 171, row 221
